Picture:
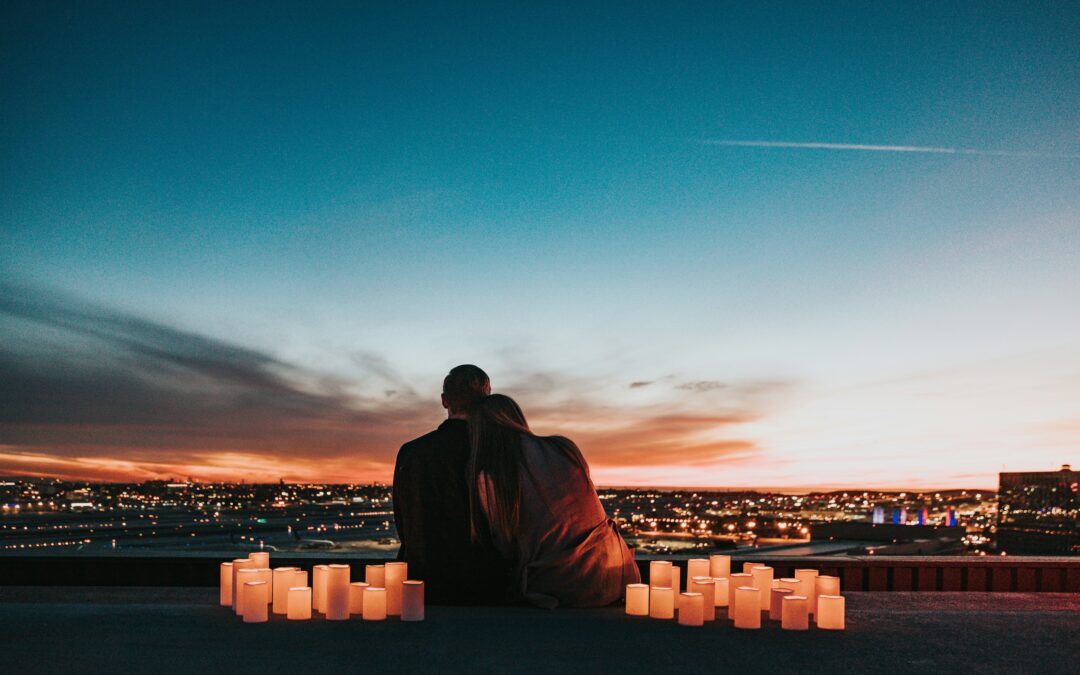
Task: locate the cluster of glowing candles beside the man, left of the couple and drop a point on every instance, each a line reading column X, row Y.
column 253, row 590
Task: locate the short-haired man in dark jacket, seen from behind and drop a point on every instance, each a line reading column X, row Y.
column 431, row 505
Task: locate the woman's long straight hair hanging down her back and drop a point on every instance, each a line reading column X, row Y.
column 496, row 428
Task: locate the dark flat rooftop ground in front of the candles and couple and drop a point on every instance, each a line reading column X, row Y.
column 136, row 630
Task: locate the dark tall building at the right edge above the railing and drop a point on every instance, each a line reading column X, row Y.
column 1039, row 512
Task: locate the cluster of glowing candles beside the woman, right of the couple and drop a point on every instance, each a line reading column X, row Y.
column 710, row 585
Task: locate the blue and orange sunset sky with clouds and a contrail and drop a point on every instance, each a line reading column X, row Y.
column 715, row 245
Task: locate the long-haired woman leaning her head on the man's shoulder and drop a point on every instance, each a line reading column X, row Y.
column 534, row 501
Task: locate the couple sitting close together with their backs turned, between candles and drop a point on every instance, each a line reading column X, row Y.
column 490, row 512
